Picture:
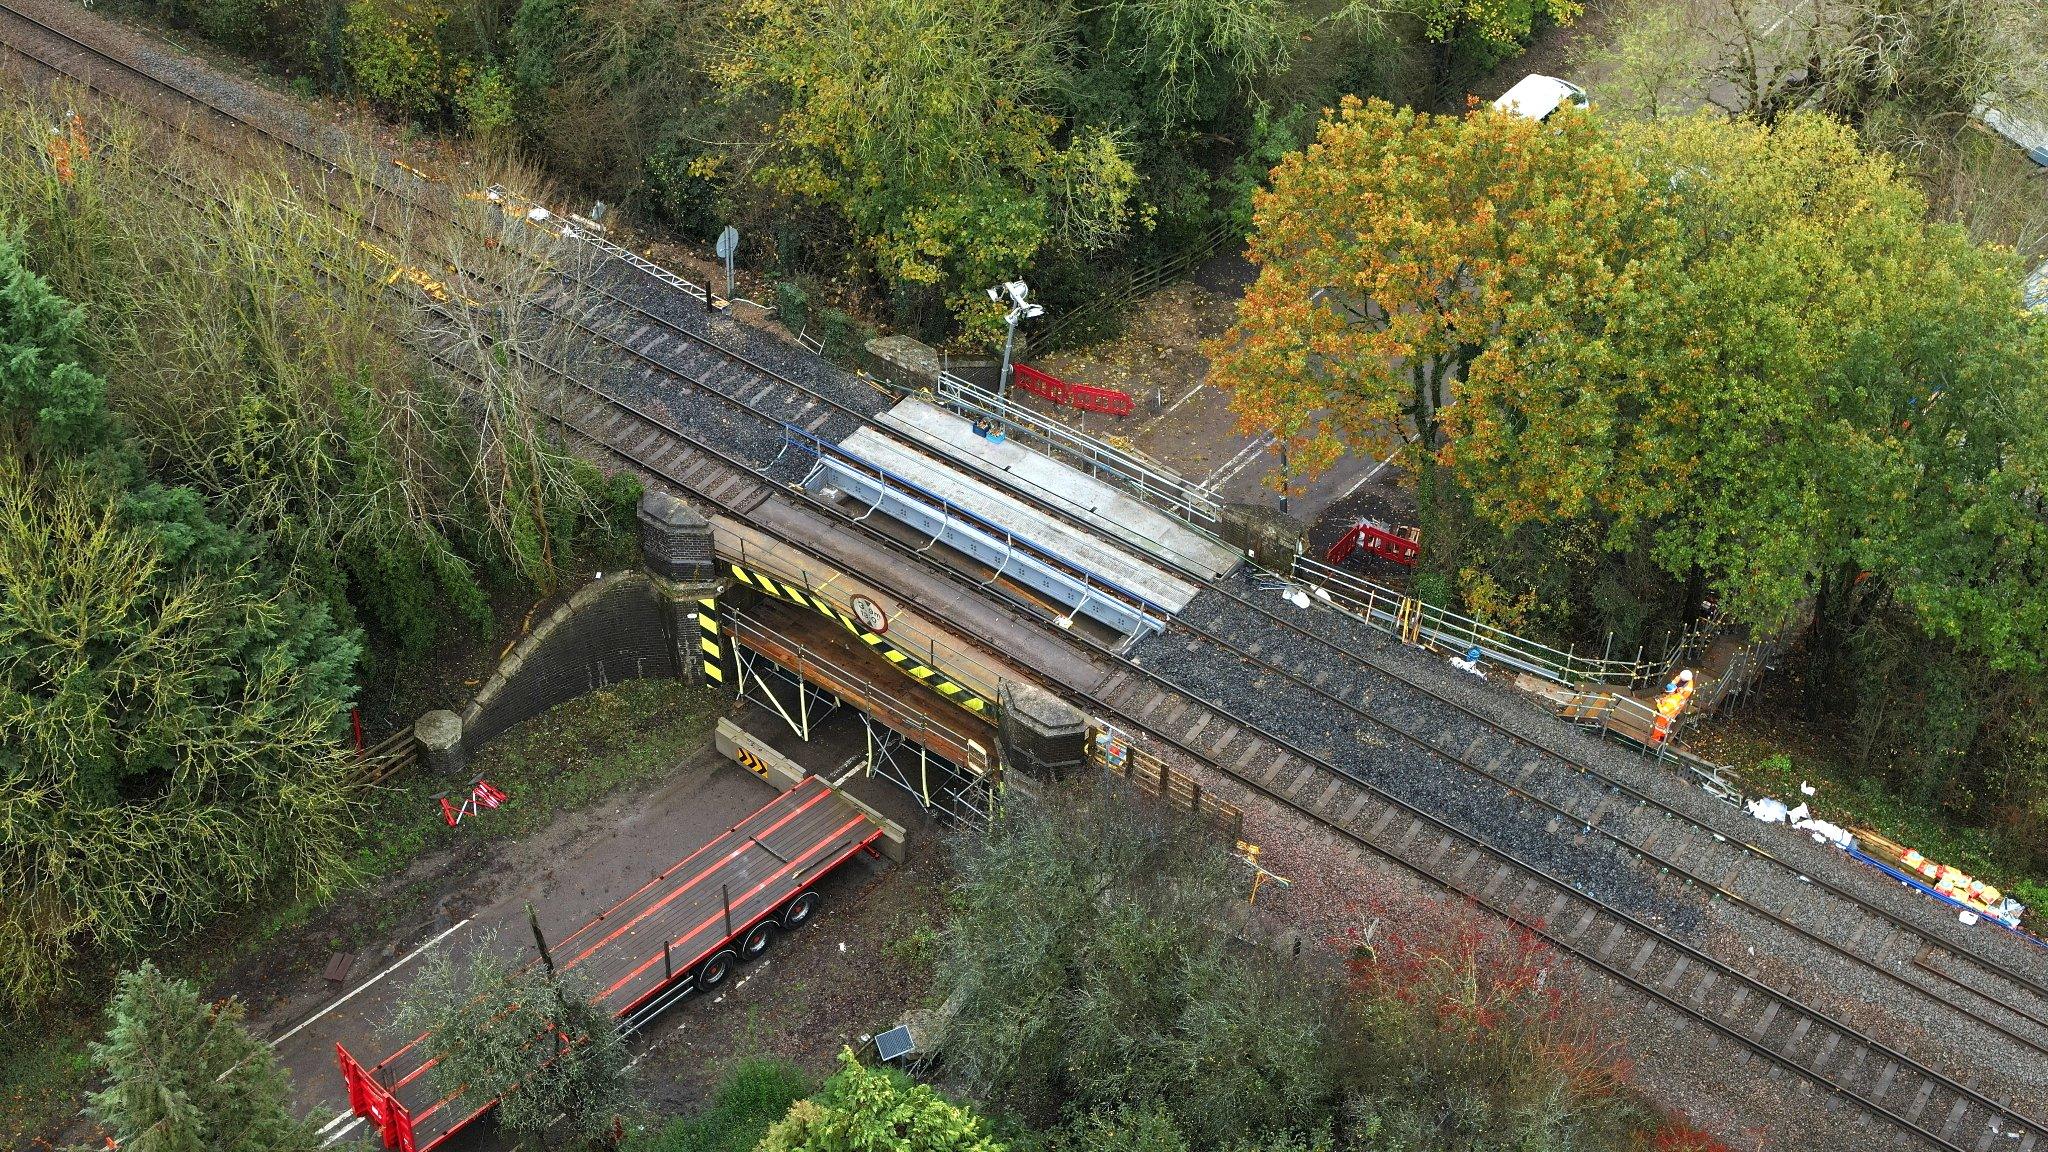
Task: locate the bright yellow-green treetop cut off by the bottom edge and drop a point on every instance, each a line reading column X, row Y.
column 878, row 1110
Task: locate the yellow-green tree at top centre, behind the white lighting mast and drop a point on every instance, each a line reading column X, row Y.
column 923, row 124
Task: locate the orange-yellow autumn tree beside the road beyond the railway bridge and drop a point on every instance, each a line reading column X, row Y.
column 1474, row 290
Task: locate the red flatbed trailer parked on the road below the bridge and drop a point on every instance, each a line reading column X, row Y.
column 683, row 932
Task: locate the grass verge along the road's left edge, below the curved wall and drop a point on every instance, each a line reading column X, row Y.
column 566, row 759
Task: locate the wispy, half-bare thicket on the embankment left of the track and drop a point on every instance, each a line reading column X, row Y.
column 247, row 341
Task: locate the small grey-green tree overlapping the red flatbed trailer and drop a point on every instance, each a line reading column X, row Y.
column 525, row 1036
